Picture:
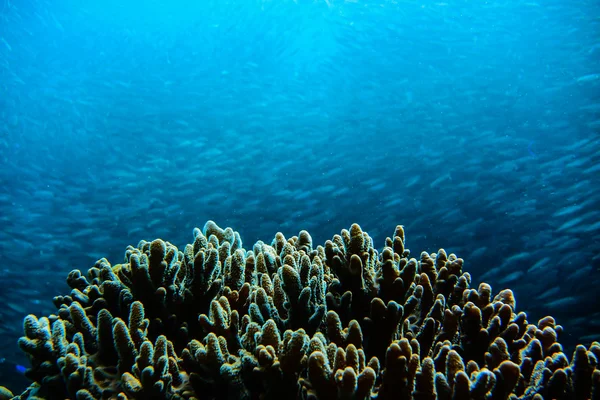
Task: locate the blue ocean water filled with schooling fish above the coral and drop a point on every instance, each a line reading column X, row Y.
column 476, row 125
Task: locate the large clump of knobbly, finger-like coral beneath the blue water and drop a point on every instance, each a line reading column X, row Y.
column 291, row 320
